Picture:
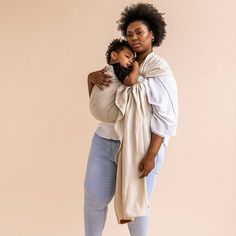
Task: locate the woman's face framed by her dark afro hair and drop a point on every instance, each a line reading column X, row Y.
column 139, row 37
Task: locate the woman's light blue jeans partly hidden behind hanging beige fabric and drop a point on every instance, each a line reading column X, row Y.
column 100, row 183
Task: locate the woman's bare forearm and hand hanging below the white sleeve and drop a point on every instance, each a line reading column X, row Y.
column 148, row 161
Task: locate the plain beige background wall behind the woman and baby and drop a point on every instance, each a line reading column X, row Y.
column 47, row 48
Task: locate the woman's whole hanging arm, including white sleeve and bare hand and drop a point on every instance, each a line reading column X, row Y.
column 164, row 117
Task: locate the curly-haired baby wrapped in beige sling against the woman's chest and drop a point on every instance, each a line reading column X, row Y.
column 124, row 70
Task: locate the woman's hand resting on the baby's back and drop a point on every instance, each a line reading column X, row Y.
column 100, row 78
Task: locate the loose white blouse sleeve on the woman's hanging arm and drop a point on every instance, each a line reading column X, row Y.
column 162, row 96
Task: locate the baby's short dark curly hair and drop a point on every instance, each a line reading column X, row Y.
column 116, row 45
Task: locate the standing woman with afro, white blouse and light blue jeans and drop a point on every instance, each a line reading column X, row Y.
column 144, row 28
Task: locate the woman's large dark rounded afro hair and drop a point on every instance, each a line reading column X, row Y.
column 149, row 15
